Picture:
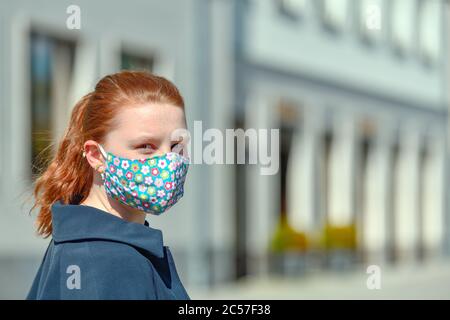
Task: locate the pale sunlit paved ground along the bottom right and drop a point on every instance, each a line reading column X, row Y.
column 431, row 281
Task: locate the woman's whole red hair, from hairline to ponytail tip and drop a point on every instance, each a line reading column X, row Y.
column 69, row 176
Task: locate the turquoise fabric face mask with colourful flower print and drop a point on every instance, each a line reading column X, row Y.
column 152, row 185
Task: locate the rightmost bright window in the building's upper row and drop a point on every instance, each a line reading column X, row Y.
column 429, row 30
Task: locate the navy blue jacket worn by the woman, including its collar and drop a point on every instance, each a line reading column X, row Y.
column 96, row 255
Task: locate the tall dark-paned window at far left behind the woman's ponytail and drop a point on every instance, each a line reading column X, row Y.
column 51, row 68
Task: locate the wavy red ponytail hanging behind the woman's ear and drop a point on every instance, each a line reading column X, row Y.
column 68, row 175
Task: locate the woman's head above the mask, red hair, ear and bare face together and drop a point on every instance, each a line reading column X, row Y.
column 131, row 114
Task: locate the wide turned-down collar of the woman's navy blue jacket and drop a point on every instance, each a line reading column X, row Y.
column 73, row 222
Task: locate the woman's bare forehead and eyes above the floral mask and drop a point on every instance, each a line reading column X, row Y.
column 146, row 130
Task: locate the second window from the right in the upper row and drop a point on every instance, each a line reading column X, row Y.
column 403, row 24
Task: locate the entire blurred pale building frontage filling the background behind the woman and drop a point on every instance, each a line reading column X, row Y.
column 358, row 90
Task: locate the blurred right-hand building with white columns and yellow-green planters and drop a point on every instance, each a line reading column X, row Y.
column 359, row 90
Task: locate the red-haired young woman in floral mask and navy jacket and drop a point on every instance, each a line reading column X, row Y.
column 117, row 161
